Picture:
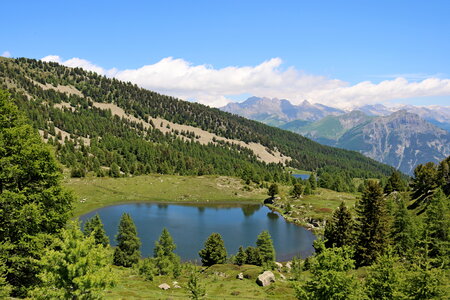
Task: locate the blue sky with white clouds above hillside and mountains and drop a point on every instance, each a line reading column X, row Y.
column 340, row 53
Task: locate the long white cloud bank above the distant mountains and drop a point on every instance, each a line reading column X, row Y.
column 214, row 87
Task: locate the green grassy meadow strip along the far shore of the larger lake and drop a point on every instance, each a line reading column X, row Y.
column 92, row 193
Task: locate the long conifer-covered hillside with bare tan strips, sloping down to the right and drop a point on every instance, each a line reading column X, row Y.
column 65, row 104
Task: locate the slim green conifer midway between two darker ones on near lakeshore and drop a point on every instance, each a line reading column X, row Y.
column 166, row 261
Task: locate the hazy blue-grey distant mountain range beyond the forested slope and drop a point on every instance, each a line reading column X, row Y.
column 402, row 136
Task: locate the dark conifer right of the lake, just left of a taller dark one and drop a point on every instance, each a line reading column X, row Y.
column 339, row 231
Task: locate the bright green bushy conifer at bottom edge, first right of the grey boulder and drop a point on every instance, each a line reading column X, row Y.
column 330, row 278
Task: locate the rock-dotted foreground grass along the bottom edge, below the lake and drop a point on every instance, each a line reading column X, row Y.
column 132, row 286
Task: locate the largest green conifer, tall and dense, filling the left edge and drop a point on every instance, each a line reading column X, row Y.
column 33, row 203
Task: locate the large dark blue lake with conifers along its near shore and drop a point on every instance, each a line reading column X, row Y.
column 191, row 225
